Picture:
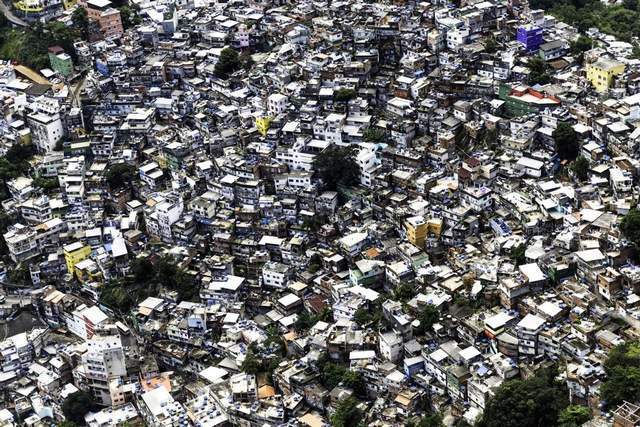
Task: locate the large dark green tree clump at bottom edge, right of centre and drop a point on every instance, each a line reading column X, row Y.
column 534, row 402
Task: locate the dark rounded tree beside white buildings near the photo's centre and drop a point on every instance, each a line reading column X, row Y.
column 337, row 166
